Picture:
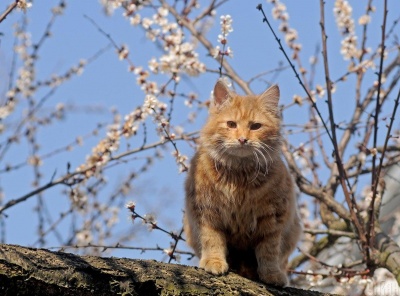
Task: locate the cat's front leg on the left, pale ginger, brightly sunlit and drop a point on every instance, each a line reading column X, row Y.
column 213, row 251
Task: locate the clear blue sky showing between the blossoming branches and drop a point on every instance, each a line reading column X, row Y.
column 107, row 84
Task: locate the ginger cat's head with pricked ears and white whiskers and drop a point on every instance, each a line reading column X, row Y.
column 243, row 126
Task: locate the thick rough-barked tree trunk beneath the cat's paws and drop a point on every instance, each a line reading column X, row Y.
column 28, row 271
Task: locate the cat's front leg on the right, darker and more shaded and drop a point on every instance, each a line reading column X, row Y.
column 268, row 260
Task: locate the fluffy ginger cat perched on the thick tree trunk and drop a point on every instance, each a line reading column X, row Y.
column 240, row 202
